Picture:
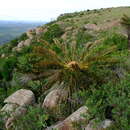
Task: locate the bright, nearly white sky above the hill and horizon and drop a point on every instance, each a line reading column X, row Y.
column 46, row 10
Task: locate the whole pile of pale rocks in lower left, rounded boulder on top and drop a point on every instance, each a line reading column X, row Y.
column 16, row 105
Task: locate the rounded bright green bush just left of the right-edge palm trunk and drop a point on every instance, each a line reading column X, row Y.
column 116, row 39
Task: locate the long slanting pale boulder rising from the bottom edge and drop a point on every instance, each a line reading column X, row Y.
column 70, row 122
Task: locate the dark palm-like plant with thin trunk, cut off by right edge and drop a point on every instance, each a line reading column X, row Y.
column 125, row 21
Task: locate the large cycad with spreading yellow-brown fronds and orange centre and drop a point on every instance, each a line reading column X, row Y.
column 76, row 66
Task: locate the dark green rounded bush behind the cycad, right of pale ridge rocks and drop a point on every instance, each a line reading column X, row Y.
column 54, row 31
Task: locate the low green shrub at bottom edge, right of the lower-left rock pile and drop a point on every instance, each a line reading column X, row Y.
column 34, row 119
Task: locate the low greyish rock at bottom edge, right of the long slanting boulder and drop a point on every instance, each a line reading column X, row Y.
column 102, row 126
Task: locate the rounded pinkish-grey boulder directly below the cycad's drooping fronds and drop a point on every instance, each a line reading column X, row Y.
column 54, row 98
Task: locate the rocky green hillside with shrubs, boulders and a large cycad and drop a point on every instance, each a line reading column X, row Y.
column 69, row 74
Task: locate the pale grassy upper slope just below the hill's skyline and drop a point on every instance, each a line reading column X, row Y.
column 108, row 19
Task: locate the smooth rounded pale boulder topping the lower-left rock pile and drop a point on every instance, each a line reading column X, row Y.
column 21, row 97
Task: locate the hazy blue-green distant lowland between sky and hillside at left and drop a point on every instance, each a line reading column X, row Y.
column 12, row 29
